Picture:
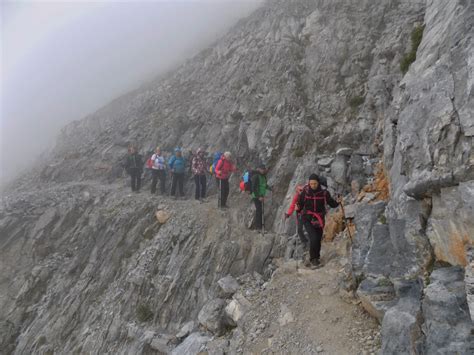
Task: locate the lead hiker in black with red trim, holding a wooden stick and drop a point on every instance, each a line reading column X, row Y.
column 312, row 206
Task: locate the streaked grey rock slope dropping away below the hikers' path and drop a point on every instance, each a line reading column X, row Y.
column 91, row 261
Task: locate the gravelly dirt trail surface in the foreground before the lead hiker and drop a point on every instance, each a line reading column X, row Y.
column 302, row 311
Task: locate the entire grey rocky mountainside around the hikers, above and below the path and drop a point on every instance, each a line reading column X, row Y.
column 305, row 86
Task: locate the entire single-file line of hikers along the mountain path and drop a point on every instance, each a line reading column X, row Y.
column 309, row 202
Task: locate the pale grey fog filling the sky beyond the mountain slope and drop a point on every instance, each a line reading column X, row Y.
column 63, row 60
